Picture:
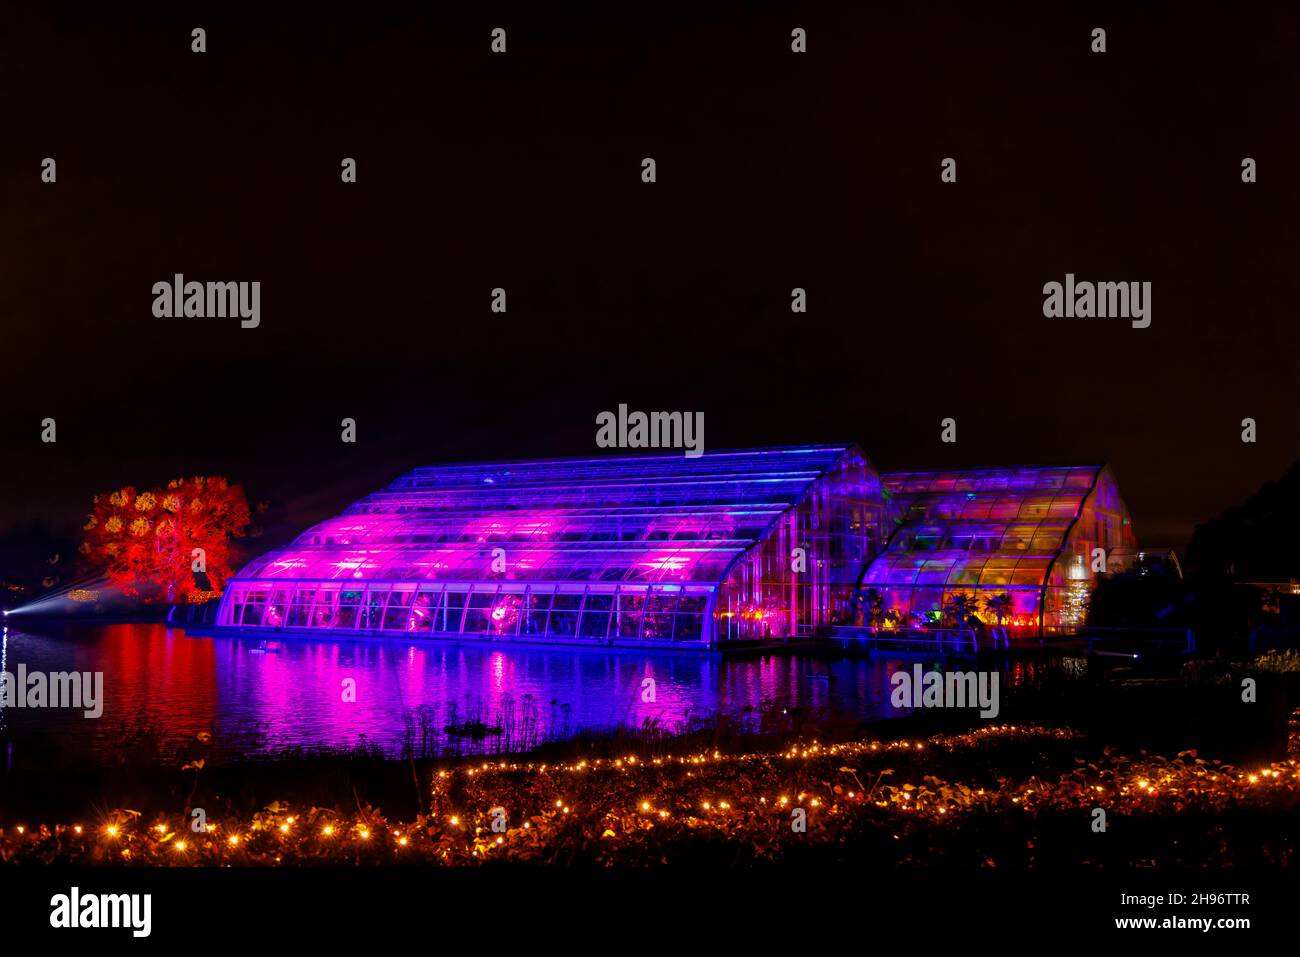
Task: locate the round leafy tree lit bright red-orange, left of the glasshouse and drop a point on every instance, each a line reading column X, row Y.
column 155, row 544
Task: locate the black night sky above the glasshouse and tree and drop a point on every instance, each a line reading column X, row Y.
column 523, row 171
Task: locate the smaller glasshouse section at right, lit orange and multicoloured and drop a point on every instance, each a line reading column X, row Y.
column 1017, row 544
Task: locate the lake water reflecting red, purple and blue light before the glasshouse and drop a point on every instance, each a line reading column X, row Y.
column 265, row 698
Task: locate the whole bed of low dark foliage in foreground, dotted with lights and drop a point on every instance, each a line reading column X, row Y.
column 1002, row 796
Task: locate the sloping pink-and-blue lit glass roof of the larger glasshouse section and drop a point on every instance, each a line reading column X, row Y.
column 660, row 518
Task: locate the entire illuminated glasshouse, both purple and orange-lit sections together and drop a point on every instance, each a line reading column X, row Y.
column 670, row 551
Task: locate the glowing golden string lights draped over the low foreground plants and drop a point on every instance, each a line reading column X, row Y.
column 599, row 817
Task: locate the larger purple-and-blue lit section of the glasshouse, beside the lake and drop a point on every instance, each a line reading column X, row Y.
column 626, row 551
